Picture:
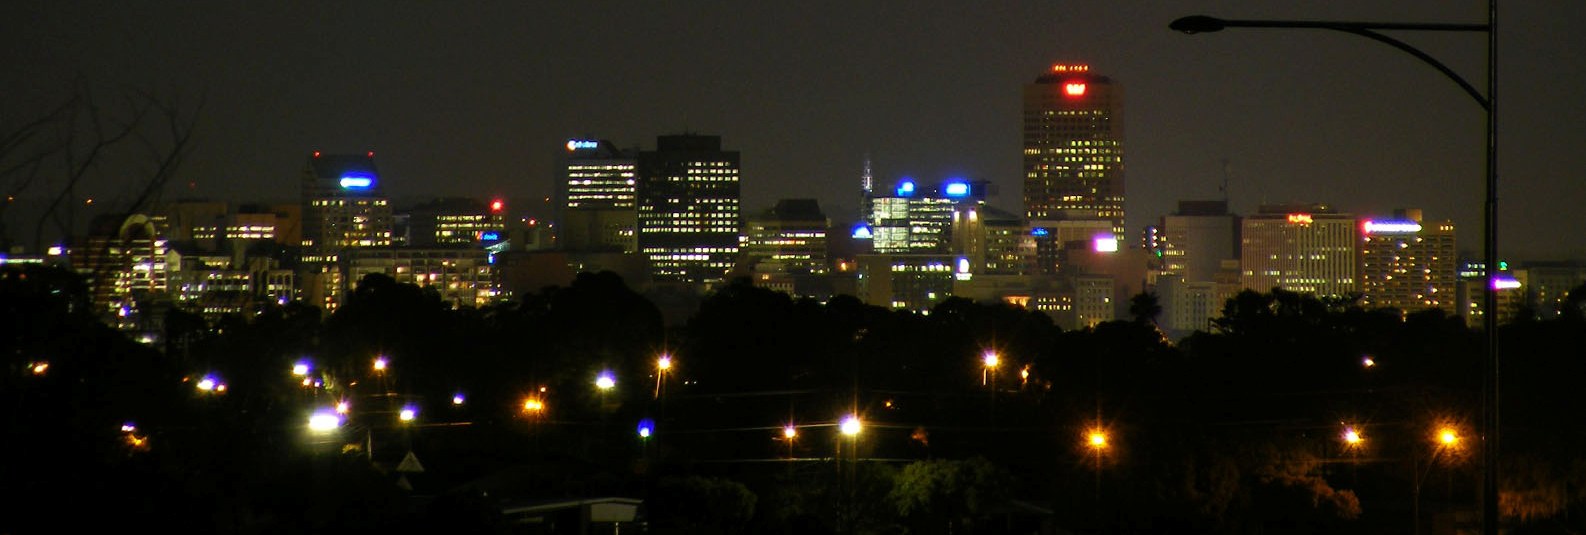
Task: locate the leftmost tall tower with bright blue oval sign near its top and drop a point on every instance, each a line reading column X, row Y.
column 343, row 207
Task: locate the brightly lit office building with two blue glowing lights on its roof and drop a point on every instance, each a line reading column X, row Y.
column 921, row 218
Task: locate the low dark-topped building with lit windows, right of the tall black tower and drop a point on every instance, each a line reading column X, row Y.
column 792, row 237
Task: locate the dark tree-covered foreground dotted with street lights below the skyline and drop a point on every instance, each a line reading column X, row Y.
column 1233, row 431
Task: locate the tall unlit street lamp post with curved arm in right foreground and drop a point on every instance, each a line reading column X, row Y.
column 1490, row 399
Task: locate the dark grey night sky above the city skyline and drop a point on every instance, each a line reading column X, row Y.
column 477, row 98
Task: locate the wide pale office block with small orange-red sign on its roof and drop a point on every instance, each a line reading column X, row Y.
column 1300, row 248
